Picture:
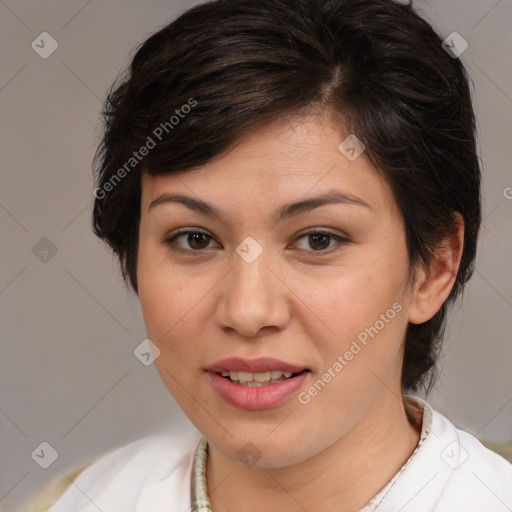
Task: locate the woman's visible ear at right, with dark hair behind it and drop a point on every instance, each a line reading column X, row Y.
column 434, row 284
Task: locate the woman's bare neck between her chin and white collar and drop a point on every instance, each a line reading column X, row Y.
column 343, row 477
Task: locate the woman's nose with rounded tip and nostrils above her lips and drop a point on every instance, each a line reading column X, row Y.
column 254, row 299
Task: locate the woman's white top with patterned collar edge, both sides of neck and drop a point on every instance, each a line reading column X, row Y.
column 450, row 472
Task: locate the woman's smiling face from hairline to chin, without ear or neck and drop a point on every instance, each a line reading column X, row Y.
column 319, row 290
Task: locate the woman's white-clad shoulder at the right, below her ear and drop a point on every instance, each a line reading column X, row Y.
column 452, row 471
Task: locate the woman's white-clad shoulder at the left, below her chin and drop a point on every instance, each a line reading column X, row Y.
column 135, row 476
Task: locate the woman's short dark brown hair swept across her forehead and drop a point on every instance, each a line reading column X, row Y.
column 239, row 64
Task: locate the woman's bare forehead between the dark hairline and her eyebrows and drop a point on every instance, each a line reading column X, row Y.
column 290, row 159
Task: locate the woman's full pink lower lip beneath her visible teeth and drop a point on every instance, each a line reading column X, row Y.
column 256, row 398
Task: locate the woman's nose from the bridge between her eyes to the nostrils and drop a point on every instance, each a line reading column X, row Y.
column 251, row 297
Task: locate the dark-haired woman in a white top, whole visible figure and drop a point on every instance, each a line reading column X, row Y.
column 293, row 191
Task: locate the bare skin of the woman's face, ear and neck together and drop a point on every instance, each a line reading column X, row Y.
column 206, row 303
